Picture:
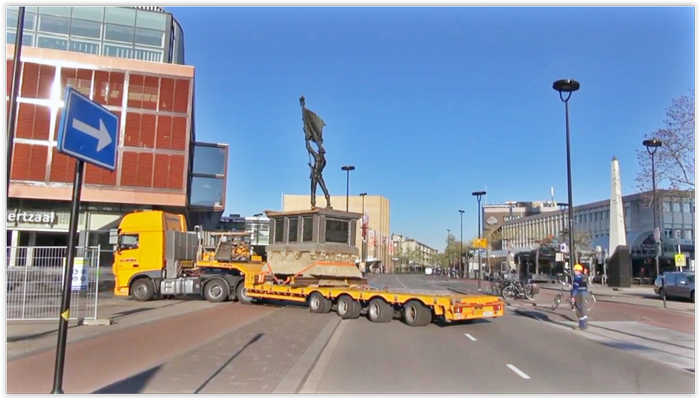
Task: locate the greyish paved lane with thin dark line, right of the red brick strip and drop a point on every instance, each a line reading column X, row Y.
column 252, row 359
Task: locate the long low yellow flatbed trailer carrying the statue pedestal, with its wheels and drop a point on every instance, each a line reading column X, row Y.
column 449, row 307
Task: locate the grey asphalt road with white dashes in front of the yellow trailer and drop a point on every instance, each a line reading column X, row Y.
column 511, row 354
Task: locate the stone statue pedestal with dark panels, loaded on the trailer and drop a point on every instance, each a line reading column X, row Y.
column 318, row 244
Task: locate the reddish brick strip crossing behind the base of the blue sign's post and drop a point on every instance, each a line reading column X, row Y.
column 95, row 363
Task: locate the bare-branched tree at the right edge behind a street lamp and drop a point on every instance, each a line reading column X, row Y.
column 675, row 160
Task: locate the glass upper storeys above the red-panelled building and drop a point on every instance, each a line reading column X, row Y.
column 121, row 32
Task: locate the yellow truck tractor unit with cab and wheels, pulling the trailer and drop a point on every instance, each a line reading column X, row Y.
column 156, row 256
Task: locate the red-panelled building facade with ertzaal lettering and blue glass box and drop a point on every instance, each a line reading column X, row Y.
column 159, row 165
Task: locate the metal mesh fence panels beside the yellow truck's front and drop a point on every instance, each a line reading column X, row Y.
column 34, row 285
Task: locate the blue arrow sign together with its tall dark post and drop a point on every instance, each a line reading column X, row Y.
column 87, row 132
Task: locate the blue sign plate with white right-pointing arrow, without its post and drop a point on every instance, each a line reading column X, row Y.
column 88, row 131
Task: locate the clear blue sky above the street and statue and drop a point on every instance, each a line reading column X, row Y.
column 431, row 104
